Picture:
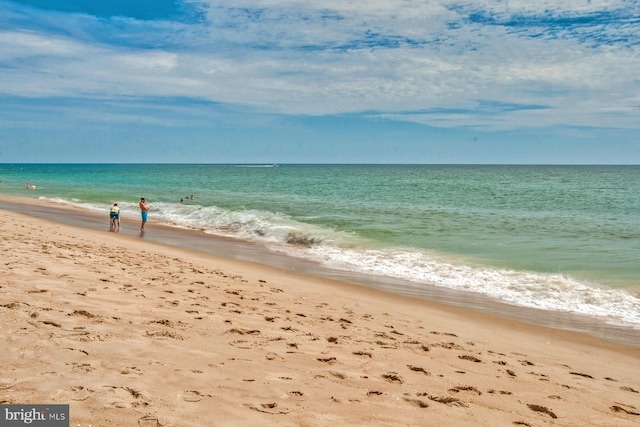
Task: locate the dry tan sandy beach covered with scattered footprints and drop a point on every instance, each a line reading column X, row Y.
column 134, row 333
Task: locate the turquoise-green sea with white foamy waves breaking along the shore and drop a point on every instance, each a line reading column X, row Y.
column 561, row 238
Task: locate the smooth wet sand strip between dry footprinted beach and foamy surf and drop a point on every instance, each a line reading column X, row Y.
column 257, row 253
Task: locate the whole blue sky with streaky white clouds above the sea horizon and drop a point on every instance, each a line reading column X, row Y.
column 336, row 81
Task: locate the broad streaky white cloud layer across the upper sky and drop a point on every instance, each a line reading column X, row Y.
column 335, row 57
